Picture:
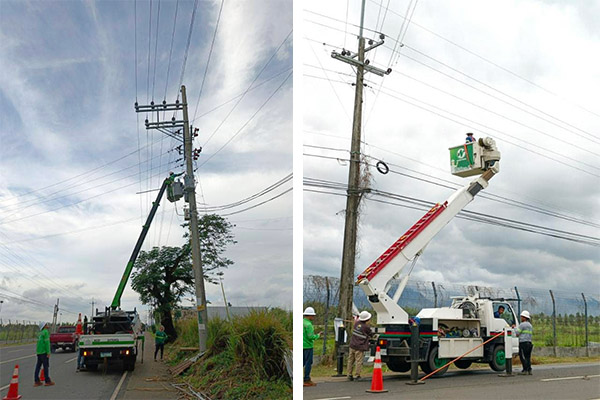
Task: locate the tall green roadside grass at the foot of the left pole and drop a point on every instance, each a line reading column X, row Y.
column 244, row 358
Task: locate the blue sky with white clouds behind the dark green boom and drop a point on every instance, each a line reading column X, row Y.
column 75, row 156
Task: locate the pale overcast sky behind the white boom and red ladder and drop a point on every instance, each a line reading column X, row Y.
column 522, row 72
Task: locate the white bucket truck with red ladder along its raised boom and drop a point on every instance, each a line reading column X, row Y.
column 448, row 332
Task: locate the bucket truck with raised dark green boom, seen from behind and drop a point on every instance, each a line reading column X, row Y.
column 112, row 336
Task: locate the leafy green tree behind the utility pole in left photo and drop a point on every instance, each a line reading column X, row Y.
column 163, row 276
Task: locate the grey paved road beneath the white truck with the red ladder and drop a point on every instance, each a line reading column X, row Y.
column 557, row 381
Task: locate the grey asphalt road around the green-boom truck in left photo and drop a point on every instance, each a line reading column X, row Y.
column 69, row 385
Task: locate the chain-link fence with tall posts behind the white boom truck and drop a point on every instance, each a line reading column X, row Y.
column 560, row 319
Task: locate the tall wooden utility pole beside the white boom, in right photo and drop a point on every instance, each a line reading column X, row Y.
column 354, row 190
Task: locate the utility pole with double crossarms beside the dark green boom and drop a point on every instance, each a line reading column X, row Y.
column 189, row 192
